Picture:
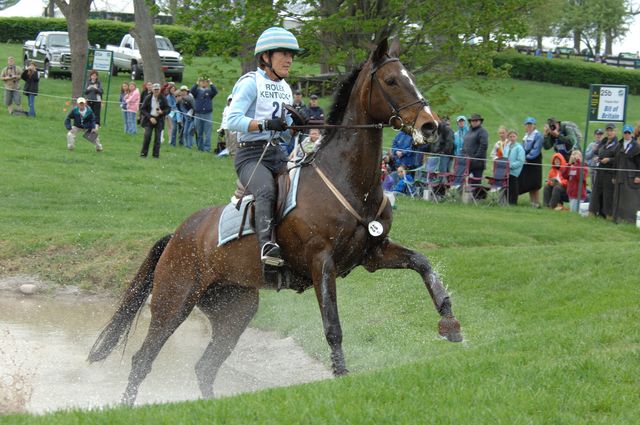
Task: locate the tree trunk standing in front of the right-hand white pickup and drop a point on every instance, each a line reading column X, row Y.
column 145, row 36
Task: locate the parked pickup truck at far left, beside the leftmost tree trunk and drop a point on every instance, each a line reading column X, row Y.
column 50, row 51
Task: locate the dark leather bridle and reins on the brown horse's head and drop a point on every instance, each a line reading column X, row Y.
column 395, row 109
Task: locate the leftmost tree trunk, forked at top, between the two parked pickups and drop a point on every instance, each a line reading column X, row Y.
column 76, row 13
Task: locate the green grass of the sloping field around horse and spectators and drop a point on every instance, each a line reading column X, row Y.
column 548, row 301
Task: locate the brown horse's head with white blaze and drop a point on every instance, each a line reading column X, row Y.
column 393, row 97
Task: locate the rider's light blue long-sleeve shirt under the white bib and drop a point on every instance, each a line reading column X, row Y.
column 243, row 110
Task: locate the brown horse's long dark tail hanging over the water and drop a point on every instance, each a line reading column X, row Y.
column 117, row 330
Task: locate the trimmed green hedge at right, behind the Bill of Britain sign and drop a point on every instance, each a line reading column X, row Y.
column 566, row 72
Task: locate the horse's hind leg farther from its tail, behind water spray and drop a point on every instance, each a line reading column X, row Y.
column 230, row 309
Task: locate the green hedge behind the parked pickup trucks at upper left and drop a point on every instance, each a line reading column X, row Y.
column 102, row 32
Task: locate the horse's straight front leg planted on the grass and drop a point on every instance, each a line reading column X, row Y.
column 324, row 281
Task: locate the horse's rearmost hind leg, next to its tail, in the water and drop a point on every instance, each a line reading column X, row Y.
column 168, row 311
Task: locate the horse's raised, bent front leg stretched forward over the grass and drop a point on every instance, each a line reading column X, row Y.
column 389, row 255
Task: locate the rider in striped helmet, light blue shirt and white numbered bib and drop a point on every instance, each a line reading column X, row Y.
column 256, row 113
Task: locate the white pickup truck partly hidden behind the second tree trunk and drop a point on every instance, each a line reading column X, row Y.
column 126, row 57
